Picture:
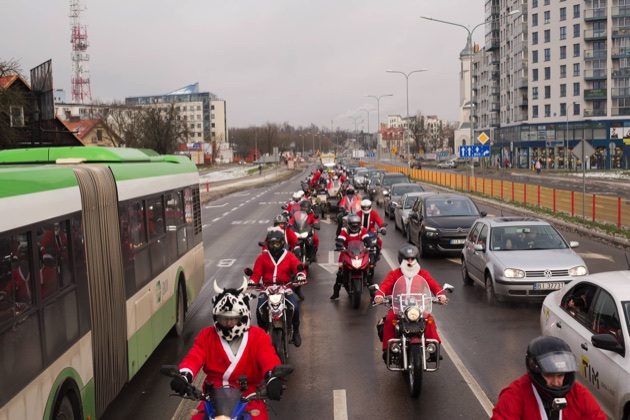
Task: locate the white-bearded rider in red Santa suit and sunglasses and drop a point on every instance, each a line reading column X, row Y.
column 409, row 267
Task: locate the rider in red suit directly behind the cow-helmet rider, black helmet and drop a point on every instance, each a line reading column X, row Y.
column 277, row 265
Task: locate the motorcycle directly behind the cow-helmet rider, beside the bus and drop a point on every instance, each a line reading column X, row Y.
column 278, row 314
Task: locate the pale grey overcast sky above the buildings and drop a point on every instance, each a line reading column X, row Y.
column 292, row 61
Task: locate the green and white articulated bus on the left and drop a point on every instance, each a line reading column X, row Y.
column 101, row 253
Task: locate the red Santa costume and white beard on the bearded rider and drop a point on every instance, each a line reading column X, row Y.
column 386, row 288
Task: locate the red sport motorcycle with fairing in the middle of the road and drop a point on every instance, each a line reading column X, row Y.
column 355, row 265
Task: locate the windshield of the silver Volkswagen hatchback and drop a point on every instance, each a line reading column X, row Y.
column 515, row 238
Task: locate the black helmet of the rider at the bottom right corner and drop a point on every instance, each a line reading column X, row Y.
column 550, row 355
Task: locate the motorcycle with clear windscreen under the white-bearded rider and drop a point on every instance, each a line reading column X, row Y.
column 409, row 351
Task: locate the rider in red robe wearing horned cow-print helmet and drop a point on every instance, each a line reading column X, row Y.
column 229, row 349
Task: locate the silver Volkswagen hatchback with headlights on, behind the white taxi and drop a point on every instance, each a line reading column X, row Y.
column 519, row 258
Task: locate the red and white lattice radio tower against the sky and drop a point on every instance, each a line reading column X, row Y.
column 81, row 91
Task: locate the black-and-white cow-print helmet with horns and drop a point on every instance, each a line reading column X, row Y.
column 231, row 303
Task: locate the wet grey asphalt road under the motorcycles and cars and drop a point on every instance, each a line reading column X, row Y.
column 340, row 354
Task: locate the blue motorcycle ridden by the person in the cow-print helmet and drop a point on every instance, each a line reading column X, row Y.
column 226, row 402
